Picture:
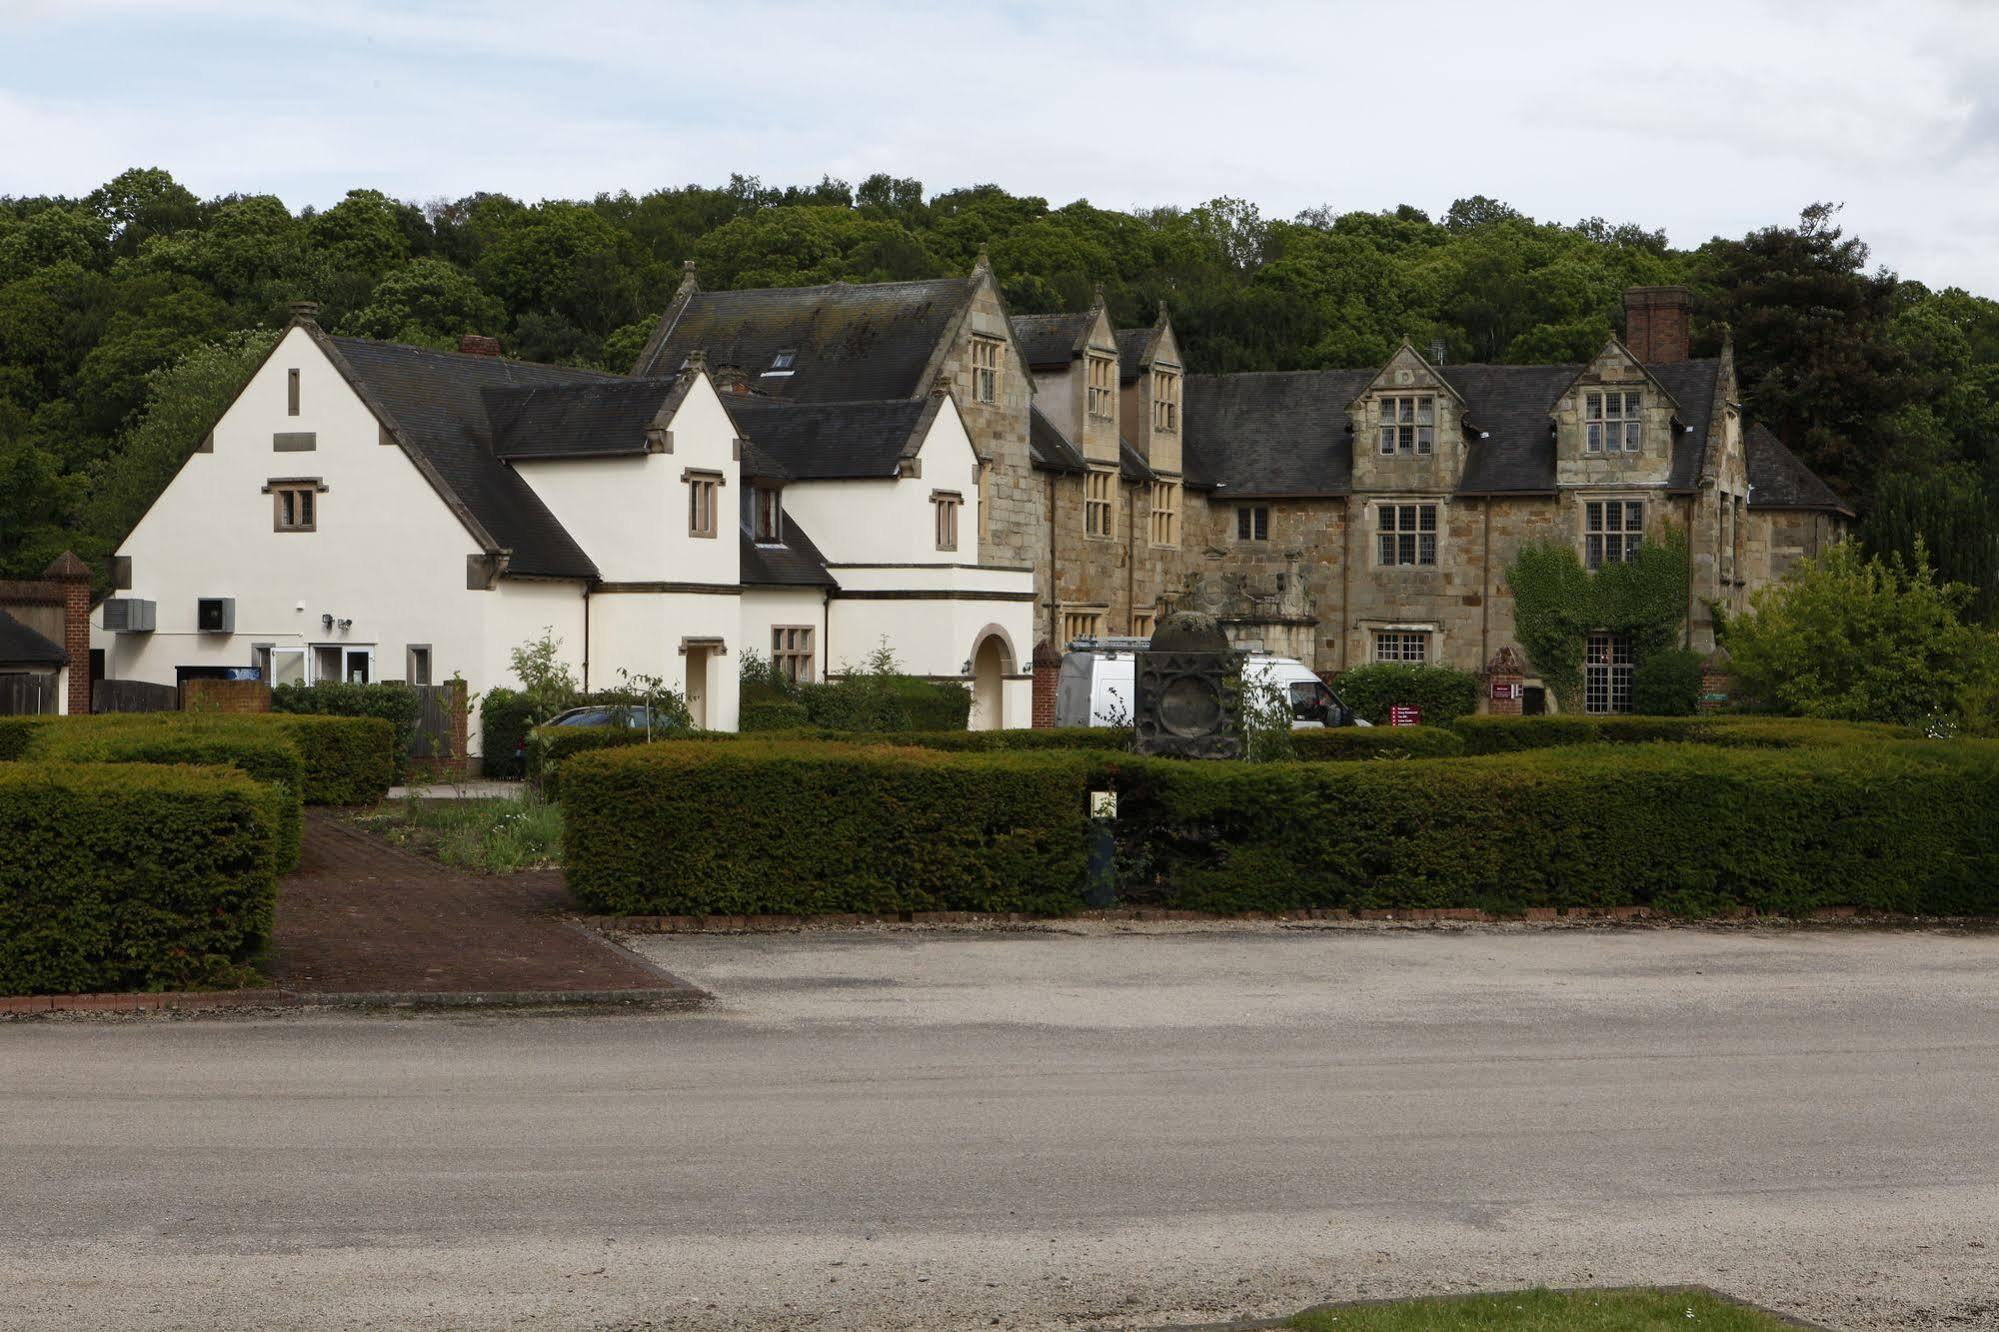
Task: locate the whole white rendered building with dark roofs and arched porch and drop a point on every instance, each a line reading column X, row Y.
column 369, row 511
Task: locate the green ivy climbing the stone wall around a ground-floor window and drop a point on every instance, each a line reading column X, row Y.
column 1558, row 605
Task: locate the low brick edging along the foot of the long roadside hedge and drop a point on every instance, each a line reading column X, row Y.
column 1418, row 915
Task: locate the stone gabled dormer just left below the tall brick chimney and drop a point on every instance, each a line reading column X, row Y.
column 1614, row 425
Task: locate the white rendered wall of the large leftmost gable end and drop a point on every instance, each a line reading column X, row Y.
column 387, row 551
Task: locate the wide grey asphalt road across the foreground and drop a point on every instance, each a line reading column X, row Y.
column 1038, row 1131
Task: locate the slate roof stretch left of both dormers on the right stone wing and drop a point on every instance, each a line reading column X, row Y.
column 1272, row 431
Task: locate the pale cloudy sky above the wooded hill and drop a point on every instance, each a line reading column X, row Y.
column 1702, row 117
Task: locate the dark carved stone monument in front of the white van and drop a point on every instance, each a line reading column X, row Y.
column 1190, row 691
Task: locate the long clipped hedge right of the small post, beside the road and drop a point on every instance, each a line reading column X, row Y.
column 1692, row 831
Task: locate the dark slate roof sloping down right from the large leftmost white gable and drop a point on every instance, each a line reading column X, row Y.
column 437, row 401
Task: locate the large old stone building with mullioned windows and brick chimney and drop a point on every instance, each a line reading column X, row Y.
column 1342, row 517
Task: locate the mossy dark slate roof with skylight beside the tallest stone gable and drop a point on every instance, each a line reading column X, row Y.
column 849, row 341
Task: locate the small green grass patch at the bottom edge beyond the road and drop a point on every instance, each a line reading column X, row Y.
column 1548, row 1311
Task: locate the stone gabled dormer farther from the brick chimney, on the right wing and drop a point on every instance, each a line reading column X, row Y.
column 1408, row 429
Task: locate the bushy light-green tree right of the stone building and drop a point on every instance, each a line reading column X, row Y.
column 1862, row 639
